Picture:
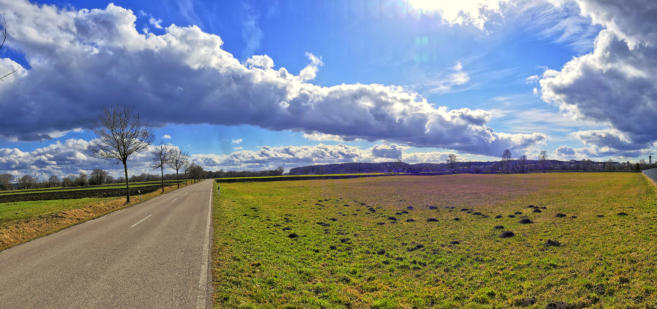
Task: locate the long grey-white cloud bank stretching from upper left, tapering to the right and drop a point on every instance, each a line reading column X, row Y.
column 85, row 60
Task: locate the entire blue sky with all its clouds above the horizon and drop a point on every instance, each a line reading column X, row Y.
column 248, row 85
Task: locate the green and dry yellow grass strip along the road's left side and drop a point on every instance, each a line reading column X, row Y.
column 23, row 221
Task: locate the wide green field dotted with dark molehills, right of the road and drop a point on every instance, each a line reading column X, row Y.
column 403, row 242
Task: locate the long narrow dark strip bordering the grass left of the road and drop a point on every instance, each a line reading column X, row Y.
column 72, row 194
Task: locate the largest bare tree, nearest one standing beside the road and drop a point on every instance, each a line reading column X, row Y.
column 121, row 135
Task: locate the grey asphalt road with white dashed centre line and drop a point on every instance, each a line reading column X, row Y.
column 152, row 255
